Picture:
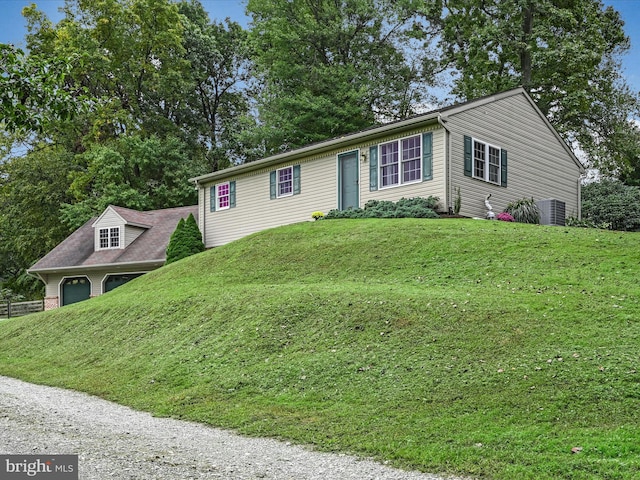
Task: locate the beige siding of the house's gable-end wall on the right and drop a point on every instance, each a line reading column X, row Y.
column 538, row 164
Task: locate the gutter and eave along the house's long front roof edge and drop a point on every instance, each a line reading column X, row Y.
column 317, row 148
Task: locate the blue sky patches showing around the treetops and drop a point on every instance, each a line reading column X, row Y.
column 12, row 25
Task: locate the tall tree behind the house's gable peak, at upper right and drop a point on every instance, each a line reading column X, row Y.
column 564, row 52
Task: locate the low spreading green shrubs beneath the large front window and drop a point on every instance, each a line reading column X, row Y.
column 404, row 208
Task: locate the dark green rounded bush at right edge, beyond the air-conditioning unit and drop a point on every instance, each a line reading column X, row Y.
column 611, row 204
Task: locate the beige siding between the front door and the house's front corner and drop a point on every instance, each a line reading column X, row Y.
column 435, row 187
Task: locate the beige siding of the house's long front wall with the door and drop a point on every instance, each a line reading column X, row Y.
column 255, row 211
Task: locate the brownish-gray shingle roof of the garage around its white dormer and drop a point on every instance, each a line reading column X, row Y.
column 77, row 250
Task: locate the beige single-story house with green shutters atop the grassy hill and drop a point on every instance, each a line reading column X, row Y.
column 500, row 145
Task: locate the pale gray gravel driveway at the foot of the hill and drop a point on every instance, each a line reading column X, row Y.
column 113, row 441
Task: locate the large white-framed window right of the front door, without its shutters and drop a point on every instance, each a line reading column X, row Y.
column 401, row 161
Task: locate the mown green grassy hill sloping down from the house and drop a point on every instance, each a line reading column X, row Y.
column 472, row 347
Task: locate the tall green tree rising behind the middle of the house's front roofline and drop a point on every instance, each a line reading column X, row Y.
column 330, row 67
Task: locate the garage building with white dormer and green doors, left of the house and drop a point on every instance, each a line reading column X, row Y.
column 106, row 252
